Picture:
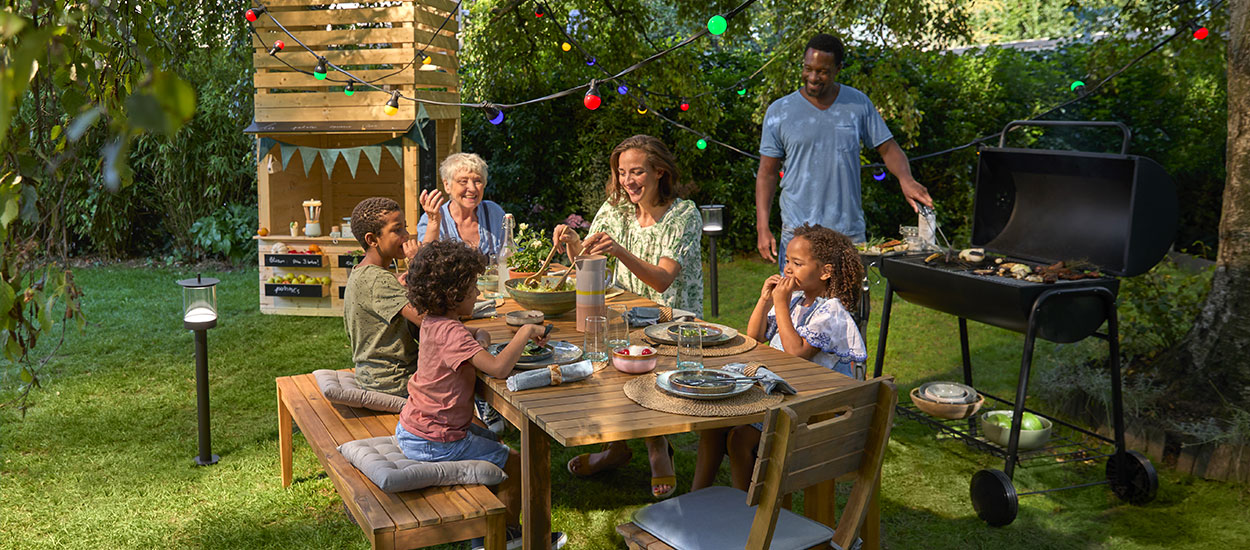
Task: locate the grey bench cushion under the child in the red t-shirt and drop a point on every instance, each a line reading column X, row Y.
column 387, row 467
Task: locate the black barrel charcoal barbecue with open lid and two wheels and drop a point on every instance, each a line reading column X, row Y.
column 1114, row 212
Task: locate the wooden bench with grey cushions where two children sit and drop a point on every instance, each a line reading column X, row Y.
column 391, row 521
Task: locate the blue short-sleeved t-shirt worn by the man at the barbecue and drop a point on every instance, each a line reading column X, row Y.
column 819, row 152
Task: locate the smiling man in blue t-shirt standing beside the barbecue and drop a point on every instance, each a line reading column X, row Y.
column 814, row 137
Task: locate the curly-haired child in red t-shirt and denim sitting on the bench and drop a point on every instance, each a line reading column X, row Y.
column 436, row 424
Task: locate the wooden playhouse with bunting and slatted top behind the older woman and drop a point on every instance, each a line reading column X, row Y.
column 317, row 143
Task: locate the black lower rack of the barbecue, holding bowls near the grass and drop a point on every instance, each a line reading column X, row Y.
column 1068, row 443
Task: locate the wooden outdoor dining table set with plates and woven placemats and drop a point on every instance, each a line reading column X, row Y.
column 597, row 411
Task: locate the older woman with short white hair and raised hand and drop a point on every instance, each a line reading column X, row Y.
column 463, row 214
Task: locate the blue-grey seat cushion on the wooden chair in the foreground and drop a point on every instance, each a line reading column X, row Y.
column 718, row 518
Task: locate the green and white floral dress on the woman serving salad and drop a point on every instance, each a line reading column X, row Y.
column 677, row 236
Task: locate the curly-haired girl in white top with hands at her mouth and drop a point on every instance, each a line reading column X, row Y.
column 803, row 314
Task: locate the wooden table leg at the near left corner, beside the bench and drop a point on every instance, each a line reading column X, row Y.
column 536, row 487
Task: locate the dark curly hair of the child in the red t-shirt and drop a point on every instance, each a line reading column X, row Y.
column 442, row 274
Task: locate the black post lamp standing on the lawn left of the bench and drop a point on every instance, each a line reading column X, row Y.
column 199, row 316
